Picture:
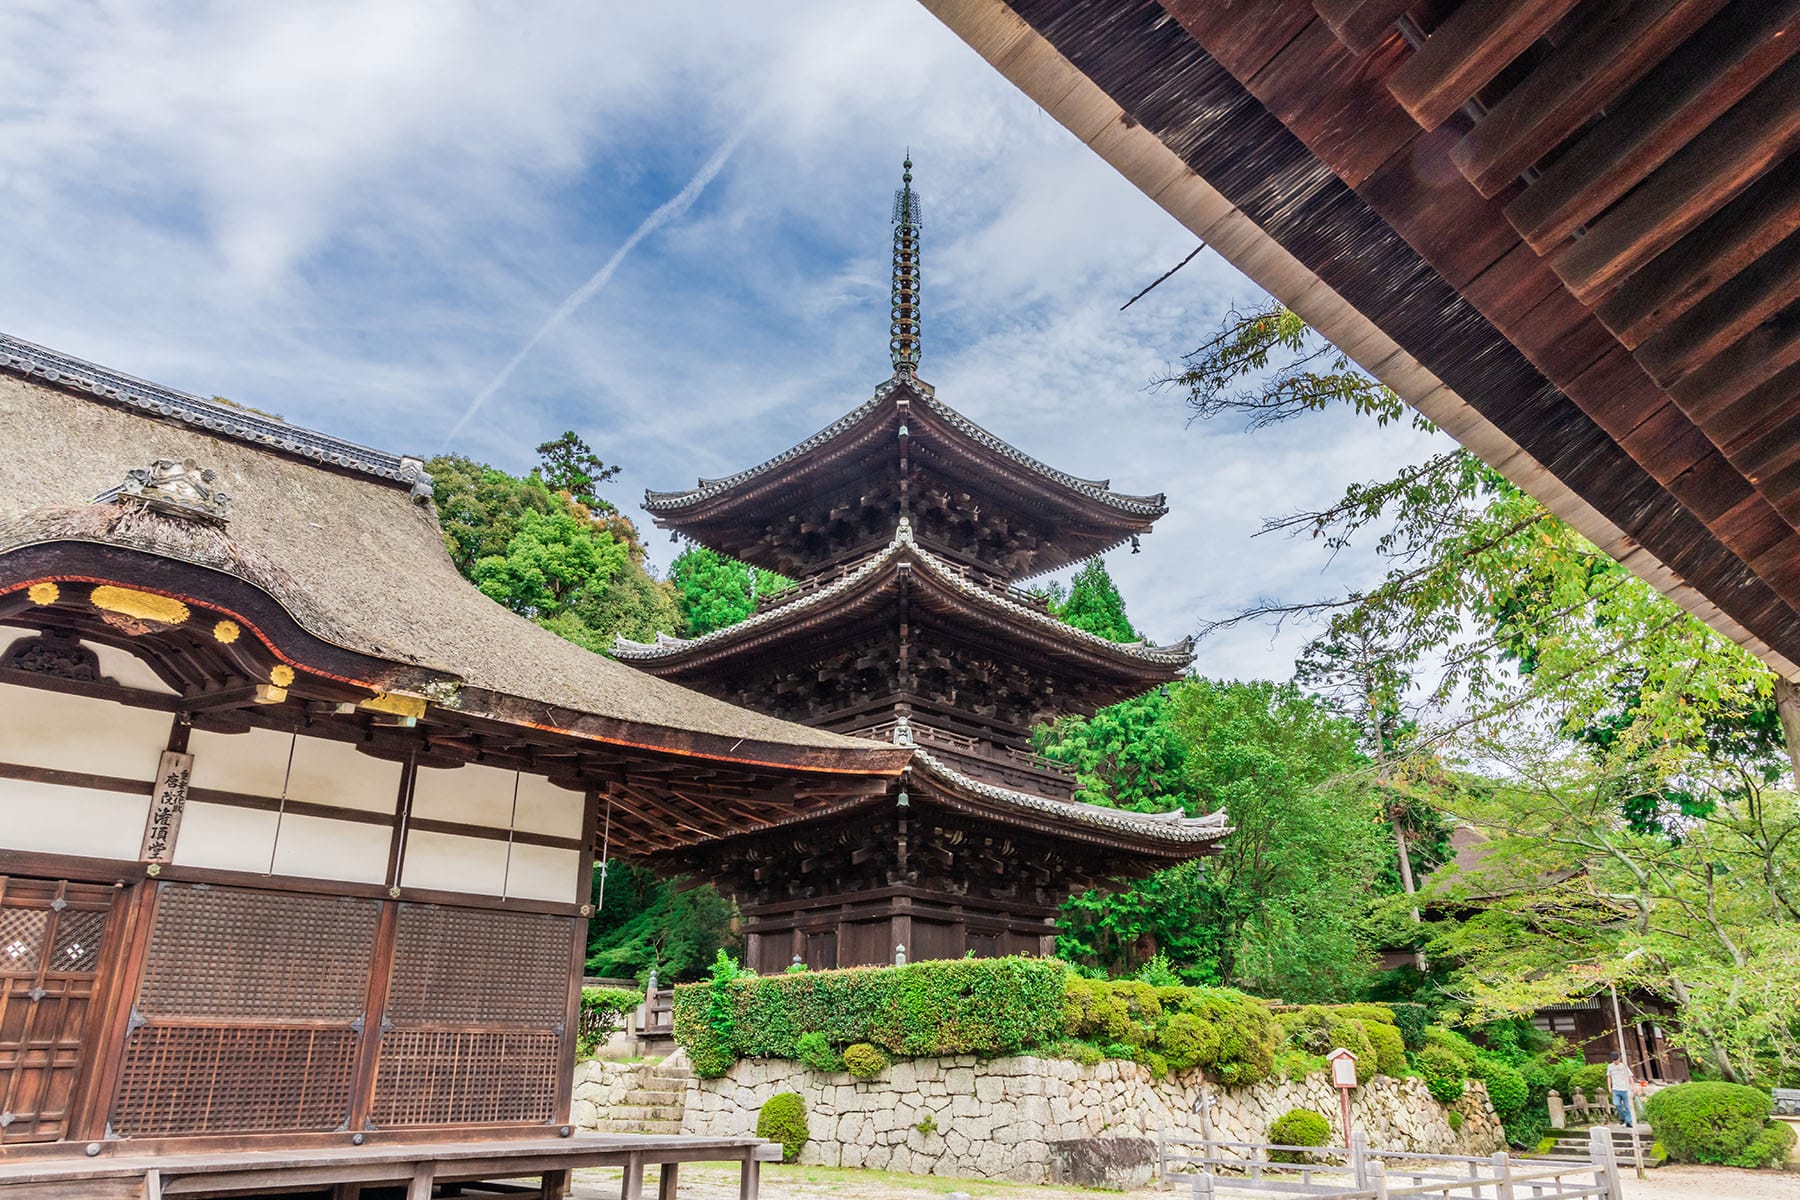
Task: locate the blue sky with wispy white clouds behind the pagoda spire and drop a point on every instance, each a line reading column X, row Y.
column 357, row 215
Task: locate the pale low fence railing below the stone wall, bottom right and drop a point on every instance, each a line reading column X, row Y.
column 1358, row 1172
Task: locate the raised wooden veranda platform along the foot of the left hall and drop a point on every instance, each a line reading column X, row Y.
column 346, row 1170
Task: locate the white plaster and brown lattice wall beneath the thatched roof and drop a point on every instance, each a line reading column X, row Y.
column 330, row 945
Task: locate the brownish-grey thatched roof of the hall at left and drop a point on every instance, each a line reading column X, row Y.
column 345, row 546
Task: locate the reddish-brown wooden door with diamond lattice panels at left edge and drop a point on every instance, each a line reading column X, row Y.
column 51, row 940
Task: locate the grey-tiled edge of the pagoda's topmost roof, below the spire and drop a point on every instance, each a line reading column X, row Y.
column 674, row 505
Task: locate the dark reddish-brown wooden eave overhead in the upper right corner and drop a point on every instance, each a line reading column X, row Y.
column 1563, row 229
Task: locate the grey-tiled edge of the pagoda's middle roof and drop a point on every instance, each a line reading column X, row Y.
column 1133, row 656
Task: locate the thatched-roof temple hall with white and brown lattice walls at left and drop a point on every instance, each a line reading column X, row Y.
column 296, row 827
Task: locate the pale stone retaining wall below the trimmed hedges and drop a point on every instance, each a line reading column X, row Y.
column 1016, row 1118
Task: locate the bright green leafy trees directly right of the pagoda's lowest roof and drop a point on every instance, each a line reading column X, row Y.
column 1281, row 909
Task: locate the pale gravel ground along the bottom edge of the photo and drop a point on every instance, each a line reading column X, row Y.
column 802, row 1183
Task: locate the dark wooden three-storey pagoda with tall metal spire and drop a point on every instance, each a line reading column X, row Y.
column 908, row 528
